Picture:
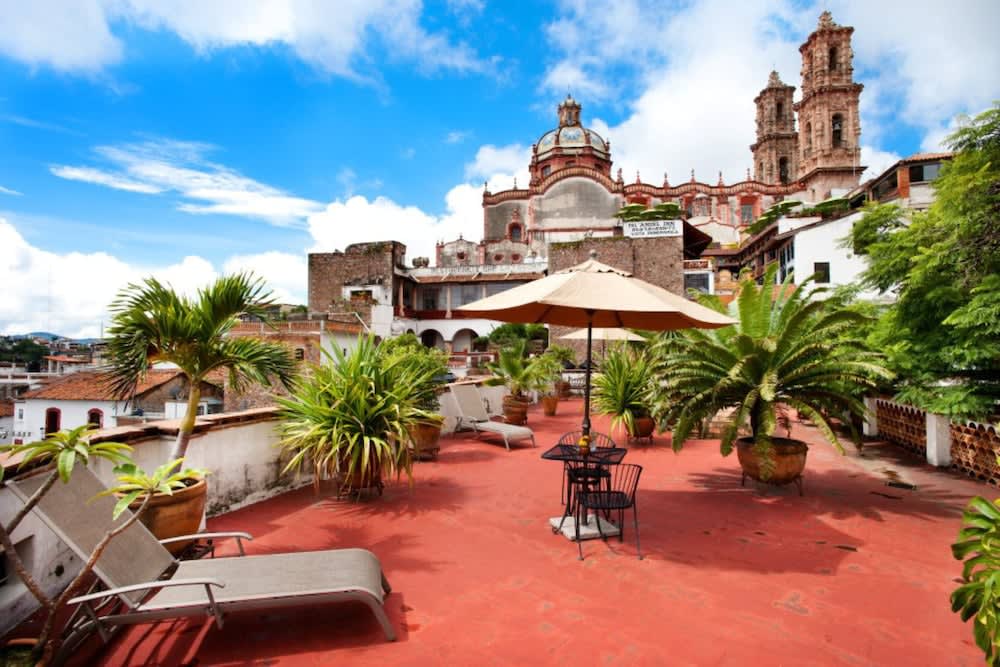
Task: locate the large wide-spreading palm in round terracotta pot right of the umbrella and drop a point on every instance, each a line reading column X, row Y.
column 788, row 348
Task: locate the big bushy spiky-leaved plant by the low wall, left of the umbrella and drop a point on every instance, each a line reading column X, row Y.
column 353, row 415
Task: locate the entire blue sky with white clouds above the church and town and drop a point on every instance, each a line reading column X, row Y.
column 186, row 139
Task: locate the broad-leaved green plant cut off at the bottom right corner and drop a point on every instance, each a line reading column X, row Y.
column 978, row 598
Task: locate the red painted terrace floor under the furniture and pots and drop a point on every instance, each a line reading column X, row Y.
column 855, row 572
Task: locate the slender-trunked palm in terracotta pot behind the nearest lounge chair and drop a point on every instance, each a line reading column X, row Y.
column 151, row 323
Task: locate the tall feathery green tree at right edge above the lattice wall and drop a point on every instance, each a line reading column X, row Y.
column 942, row 334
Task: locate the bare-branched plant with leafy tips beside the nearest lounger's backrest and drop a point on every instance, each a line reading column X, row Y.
column 56, row 457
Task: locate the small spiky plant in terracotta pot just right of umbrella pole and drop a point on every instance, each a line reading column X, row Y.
column 621, row 388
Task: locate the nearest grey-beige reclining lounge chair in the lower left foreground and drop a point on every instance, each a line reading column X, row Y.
column 144, row 582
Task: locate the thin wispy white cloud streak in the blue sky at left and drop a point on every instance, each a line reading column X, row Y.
column 163, row 165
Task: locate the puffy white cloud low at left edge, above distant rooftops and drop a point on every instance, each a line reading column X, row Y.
column 69, row 293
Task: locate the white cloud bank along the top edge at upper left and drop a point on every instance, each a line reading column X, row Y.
column 338, row 39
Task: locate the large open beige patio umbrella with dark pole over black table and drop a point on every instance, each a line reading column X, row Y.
column 591, row 295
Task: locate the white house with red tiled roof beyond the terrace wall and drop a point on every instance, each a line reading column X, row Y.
column 83, row 397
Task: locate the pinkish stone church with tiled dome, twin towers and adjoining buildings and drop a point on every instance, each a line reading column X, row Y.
column 806, row 150
